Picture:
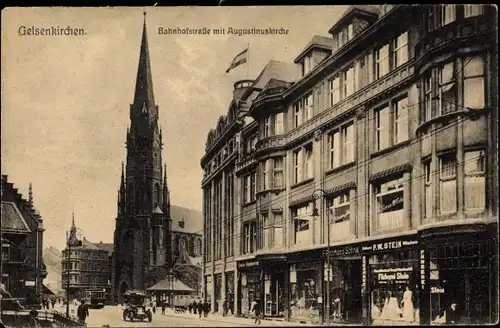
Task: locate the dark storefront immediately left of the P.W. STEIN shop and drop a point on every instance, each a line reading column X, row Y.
column 345, row 284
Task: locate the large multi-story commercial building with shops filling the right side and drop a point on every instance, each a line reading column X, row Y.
column 372, row 190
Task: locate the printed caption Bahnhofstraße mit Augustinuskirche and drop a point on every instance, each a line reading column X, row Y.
column 222, row 31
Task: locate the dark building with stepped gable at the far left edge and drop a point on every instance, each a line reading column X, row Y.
column 22, row 269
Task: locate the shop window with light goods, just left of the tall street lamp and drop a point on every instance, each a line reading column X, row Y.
column 305, row 291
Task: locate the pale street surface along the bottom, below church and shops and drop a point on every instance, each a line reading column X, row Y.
column 112, row 316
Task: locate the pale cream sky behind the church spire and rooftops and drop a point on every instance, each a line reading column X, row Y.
column 66, row 99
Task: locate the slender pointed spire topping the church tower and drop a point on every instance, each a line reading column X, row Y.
column 144, row 82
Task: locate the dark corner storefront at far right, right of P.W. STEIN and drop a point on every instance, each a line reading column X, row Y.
column 461, row 275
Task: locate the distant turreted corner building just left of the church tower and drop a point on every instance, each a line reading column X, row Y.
column 88, row 266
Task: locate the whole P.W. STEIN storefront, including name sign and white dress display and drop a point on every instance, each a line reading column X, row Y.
column 391, row 281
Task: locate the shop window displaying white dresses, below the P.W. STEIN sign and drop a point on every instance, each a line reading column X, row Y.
column 394, row 287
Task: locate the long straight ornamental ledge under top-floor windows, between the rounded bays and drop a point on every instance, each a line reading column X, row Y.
column 395, row 78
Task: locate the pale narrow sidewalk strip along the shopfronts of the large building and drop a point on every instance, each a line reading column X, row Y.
column 236, row 320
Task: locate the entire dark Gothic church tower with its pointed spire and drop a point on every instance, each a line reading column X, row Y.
column 142, row 232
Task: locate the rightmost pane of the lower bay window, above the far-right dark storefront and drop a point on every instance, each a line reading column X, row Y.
column 475, row 187
